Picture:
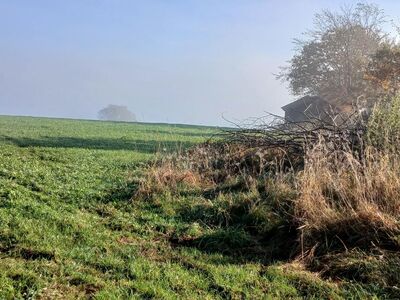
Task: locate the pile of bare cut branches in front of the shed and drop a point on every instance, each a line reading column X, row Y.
column 273, row 132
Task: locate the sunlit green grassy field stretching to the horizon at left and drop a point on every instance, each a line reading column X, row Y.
column 70, row 226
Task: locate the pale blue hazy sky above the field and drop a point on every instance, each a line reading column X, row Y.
column 168, row 61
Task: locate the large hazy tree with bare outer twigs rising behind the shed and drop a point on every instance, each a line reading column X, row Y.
column 331, row 62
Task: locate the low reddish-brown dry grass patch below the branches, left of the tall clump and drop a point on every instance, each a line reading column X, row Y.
column 208, row 166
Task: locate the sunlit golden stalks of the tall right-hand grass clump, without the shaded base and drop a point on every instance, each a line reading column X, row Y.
column 337, row 185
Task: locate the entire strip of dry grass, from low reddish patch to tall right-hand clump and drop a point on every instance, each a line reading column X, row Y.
column 340, row 194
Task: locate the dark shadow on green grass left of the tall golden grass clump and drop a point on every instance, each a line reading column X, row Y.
column 240, row 230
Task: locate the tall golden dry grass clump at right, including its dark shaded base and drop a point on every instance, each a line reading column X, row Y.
column 355, row 200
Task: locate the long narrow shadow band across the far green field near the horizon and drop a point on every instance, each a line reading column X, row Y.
column 144, row 146
